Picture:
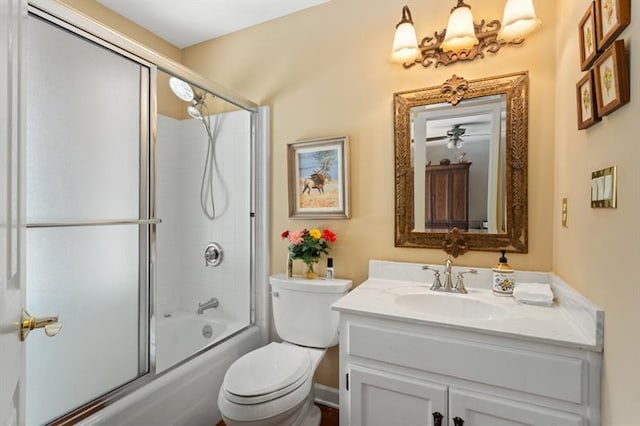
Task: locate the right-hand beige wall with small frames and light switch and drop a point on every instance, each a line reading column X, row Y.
column 599, row 252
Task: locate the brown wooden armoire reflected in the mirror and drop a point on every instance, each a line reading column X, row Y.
column 447, row 196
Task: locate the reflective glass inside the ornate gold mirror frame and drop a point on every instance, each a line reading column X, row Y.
column 462, row 162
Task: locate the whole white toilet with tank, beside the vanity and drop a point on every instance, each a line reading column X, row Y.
column 273, row 385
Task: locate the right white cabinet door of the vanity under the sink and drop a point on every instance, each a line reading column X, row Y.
column 477, row 409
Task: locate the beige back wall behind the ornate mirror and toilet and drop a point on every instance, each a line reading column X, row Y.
column 326, row 71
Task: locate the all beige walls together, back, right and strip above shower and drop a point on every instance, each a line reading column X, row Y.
column 324, row 72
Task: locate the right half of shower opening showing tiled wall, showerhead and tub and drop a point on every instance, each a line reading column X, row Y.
column 204, row 198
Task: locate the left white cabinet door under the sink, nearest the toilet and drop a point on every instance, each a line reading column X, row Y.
column 378, row 398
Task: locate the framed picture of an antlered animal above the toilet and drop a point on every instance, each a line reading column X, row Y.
column 318, row 173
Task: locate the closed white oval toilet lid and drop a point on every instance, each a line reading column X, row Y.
column 267, row 370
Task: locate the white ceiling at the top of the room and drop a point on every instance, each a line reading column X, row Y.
column 187, row 22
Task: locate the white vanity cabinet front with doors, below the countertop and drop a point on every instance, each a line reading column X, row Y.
column 396, row 372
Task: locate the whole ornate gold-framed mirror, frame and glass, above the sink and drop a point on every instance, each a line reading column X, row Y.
column 478, row 201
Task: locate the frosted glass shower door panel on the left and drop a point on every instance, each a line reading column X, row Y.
column 87, row 218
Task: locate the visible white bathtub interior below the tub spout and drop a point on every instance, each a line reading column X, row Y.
column 181, row 334
